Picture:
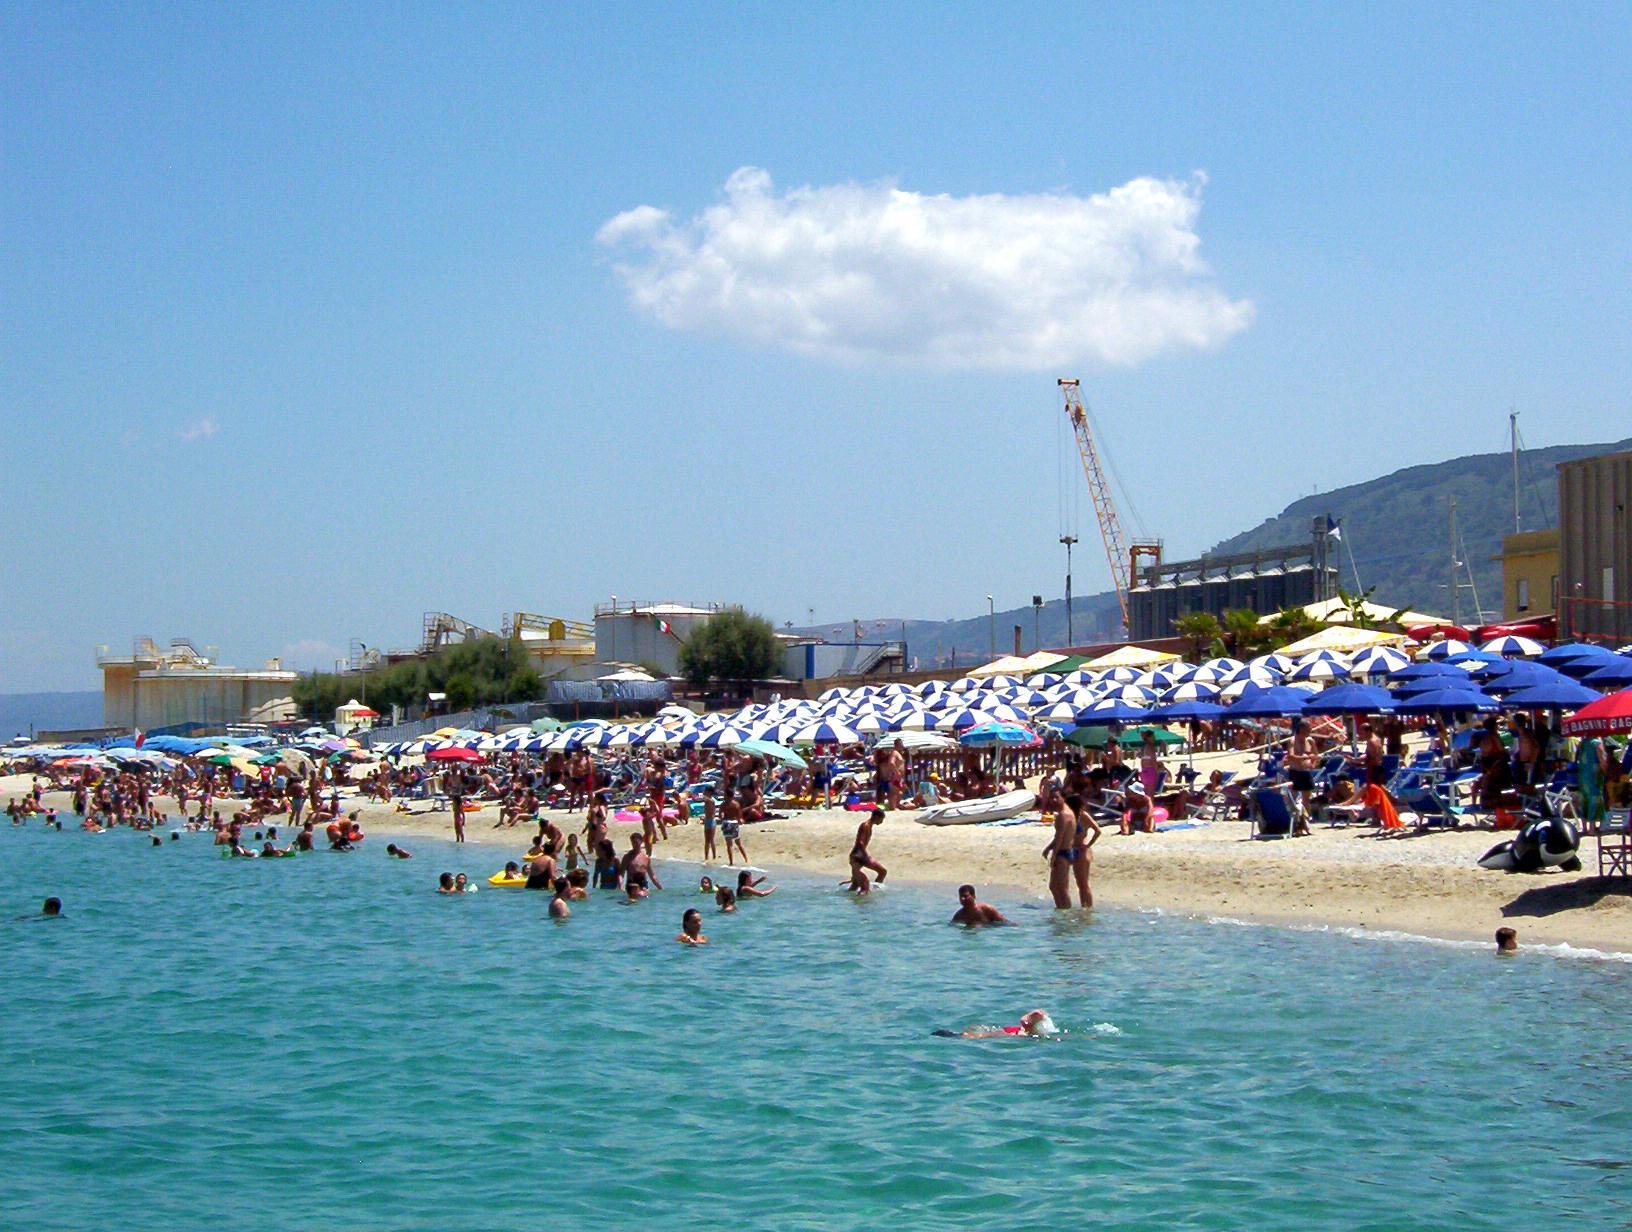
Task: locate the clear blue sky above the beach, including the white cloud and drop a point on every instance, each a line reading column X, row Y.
column 308, row 327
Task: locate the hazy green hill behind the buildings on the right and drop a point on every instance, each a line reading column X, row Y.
column 1398, row 526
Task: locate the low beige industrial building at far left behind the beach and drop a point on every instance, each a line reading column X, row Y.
column 161, row 688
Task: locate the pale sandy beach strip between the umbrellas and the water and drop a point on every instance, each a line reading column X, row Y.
column 1424, row 884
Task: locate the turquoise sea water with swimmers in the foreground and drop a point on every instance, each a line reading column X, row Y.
column 208, row 1044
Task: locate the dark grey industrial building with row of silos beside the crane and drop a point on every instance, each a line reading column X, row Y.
column 1264, row 582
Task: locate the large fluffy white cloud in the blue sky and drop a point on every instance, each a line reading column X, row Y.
column 861, row 272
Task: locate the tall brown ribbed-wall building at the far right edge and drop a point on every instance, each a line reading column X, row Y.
column 1595, row 547
